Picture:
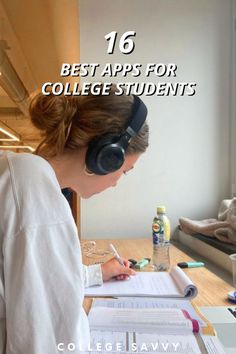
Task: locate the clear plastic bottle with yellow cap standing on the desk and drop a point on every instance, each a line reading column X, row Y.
column 161, row 240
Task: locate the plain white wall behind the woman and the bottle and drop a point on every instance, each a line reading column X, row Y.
column 186, row 167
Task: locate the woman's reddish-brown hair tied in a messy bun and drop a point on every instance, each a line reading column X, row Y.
column 72, row 122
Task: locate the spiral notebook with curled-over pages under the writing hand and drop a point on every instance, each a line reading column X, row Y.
column 149, row 284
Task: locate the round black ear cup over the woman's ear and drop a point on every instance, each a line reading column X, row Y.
column 105, row 155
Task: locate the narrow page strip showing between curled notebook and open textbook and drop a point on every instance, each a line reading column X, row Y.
column 151, row 303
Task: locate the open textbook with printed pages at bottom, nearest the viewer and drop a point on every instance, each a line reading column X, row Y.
column 147, row 330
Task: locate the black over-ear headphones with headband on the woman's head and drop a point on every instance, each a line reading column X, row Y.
column 106, row 153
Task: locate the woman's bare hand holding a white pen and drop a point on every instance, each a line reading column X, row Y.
column 112, row 268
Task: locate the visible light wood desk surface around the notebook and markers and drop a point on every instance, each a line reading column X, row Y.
column 212, row 290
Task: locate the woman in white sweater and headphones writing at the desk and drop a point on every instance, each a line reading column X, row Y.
column 42, row 276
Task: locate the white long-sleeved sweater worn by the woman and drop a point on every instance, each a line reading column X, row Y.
column 42, row 278
